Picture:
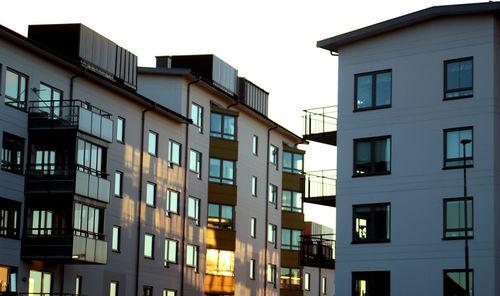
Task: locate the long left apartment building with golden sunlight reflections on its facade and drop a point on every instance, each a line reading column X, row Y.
column 126, row 180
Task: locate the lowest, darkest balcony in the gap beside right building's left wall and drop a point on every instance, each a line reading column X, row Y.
column 318, row 250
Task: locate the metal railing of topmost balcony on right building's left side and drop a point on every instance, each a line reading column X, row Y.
column 320, row 120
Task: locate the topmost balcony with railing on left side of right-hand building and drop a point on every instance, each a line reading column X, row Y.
column 320, row 125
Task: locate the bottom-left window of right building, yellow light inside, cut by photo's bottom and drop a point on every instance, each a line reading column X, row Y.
column 371, row 283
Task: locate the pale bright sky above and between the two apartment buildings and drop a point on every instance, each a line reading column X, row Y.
column 271, row 42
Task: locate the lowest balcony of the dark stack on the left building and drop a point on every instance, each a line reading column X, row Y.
column 64, row 246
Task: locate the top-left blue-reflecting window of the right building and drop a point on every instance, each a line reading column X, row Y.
column 372, row 90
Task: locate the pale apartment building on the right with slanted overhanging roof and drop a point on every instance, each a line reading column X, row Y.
column 417, row 103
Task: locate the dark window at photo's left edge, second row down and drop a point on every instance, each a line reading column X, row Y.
column 12, row 153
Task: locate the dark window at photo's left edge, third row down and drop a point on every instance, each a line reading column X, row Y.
column 9, row 218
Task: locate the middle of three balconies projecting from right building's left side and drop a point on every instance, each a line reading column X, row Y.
column 321, row 187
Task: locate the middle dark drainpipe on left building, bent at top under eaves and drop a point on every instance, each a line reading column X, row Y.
column 186, row 151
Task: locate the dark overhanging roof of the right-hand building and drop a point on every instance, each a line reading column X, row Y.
column 333, row 43
